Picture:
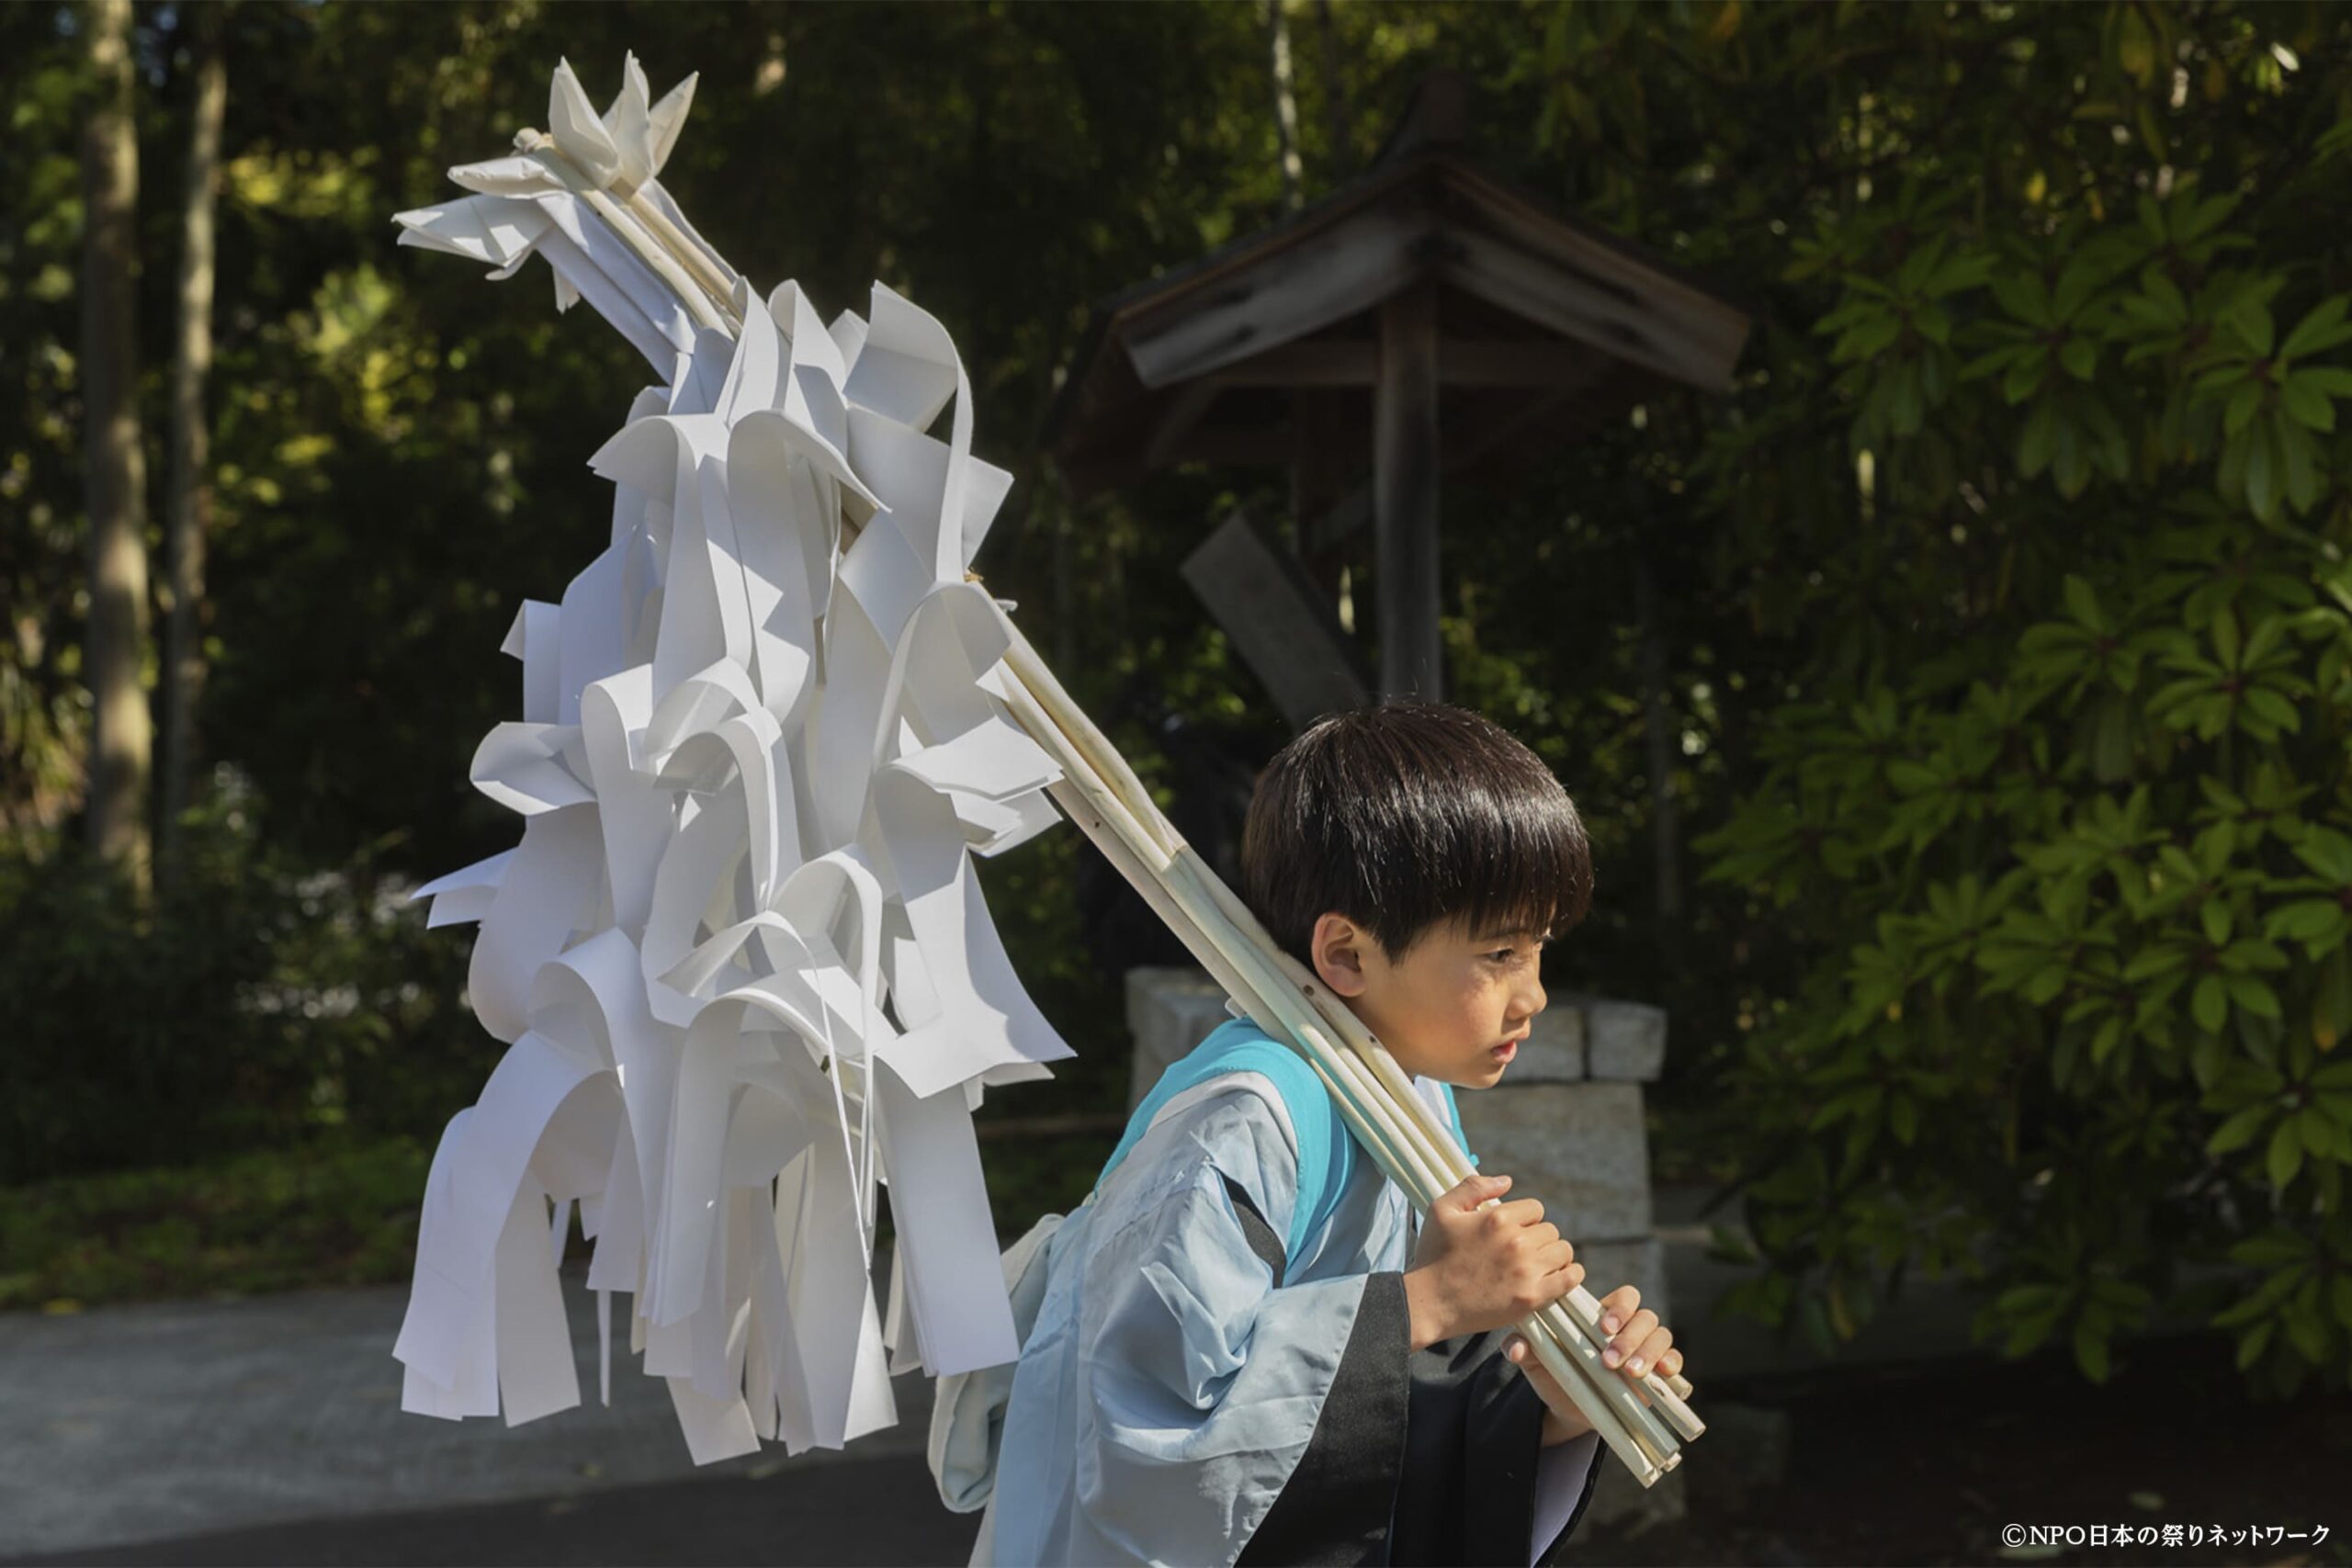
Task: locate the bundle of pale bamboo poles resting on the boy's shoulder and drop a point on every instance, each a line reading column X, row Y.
column 1118, row 815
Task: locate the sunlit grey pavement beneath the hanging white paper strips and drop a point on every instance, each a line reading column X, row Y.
column 185, row 1419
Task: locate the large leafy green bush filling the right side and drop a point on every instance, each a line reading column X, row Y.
column 2054, row 808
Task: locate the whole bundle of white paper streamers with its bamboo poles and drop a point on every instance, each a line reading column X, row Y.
column 740, row 956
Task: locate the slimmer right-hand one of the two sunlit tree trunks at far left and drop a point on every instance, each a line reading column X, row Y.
column 192, row 436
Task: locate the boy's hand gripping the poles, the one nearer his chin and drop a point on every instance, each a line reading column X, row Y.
column 1485, row 1268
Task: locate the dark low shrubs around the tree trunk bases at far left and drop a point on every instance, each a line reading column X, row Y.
column 250, row 1003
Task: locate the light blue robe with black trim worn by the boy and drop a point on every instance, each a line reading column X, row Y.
column 1196, row 1355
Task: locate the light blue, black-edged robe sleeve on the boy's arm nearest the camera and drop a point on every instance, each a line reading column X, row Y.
column 1208, row 1379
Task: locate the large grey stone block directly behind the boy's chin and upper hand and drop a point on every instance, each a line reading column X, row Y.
column 1582, row 1148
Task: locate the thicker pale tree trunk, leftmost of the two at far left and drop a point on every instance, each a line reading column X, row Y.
column 114, row 462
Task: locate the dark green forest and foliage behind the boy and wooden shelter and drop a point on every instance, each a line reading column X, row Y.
column 1958, row 704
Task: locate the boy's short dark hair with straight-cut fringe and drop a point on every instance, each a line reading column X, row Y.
column 1408, row 815
